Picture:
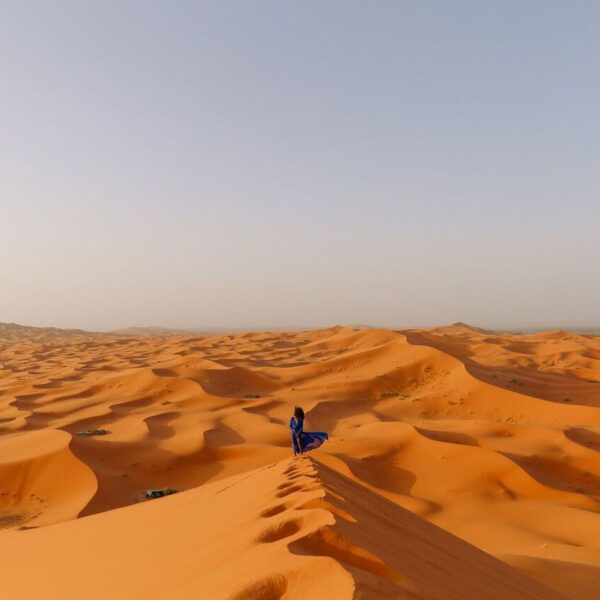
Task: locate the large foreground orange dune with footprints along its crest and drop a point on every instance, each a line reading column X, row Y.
column 292, row 529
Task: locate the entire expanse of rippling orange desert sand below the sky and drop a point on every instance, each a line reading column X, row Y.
column 461, row 464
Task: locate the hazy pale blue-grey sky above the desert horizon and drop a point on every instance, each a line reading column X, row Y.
column 256, row 164
